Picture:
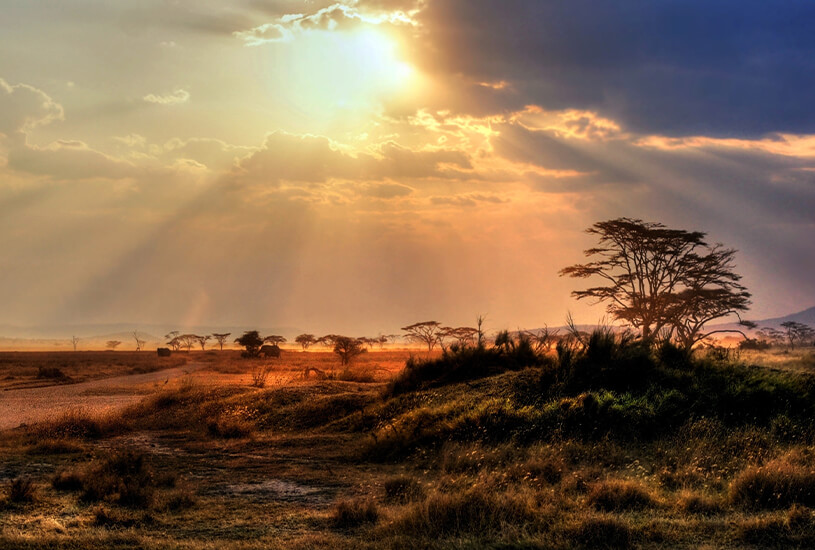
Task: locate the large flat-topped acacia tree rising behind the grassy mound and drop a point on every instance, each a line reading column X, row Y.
column 661, row 281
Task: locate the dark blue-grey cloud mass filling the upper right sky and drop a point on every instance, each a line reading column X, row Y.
column 668, row 67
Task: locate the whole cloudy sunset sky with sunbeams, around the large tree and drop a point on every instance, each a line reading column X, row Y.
column 361, row 165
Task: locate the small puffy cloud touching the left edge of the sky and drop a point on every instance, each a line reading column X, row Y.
column 24, row 107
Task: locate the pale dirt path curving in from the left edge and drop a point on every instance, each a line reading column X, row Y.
column 26, row 406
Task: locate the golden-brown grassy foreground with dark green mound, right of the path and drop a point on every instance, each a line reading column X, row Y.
column 604, row 445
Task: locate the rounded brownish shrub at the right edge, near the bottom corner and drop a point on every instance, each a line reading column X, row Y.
column 778, row 484
